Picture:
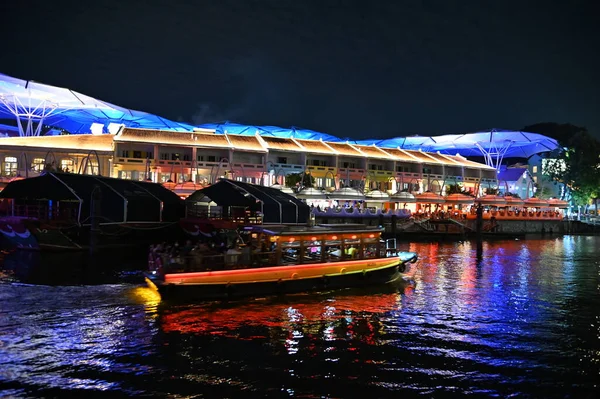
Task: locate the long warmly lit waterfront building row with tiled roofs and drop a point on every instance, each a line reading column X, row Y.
column 188, row 161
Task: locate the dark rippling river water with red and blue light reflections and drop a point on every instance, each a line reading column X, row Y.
column 520, row 320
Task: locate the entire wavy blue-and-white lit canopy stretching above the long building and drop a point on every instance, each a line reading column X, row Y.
column 35, row 105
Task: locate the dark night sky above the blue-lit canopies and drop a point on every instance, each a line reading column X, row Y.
column 359, row 69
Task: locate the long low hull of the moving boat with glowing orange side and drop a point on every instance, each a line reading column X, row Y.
column 223, row 286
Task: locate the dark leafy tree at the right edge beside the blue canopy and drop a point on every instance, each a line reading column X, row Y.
column 576, row 164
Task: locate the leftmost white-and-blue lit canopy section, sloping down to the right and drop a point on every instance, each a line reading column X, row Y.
column 36, row 104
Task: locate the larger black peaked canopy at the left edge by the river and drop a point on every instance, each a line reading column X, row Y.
column 122, row 200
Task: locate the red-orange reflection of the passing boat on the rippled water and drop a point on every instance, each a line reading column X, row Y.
column 327, row 315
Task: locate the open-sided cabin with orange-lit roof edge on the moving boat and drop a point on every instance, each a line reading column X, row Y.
column 289, row 245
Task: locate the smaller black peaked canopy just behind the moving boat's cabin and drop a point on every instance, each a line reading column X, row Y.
column 277, row 207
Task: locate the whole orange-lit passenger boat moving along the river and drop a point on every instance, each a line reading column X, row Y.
column 287, row 259
